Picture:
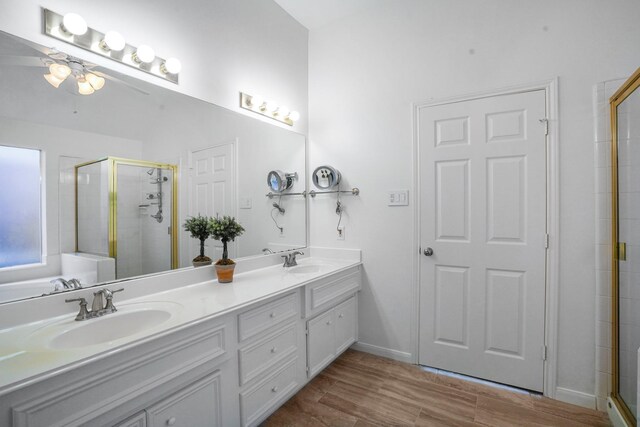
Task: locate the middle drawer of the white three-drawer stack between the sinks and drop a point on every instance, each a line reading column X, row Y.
column 256, row 358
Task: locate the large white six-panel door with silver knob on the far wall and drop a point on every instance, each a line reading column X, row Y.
column 483, row 214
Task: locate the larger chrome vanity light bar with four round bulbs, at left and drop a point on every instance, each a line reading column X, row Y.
column 72, row 29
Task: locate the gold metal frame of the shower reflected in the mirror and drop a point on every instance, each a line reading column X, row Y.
column 112, row 167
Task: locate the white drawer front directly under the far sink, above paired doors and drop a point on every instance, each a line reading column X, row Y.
column 324, row 294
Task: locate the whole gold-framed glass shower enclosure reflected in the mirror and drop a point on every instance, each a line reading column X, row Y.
column 127, row 210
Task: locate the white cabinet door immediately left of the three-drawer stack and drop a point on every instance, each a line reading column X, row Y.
column 196, row 405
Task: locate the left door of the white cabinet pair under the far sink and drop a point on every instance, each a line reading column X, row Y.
column 320, row 342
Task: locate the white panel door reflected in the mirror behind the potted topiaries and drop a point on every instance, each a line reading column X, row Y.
column 212, row 191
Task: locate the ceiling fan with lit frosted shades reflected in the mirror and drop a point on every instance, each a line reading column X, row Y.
column 62, row 67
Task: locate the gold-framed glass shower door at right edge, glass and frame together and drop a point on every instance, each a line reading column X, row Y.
column 625, row 126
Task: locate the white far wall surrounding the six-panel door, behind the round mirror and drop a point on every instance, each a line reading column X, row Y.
column 367, row 70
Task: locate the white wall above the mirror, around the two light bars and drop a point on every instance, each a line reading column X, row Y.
column 224, row 46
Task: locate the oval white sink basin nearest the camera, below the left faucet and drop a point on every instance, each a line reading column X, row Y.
column 128, row 320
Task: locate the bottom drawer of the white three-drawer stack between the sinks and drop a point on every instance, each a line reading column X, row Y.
column 256, row 401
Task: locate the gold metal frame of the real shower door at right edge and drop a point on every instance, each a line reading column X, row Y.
column 627, row 88
